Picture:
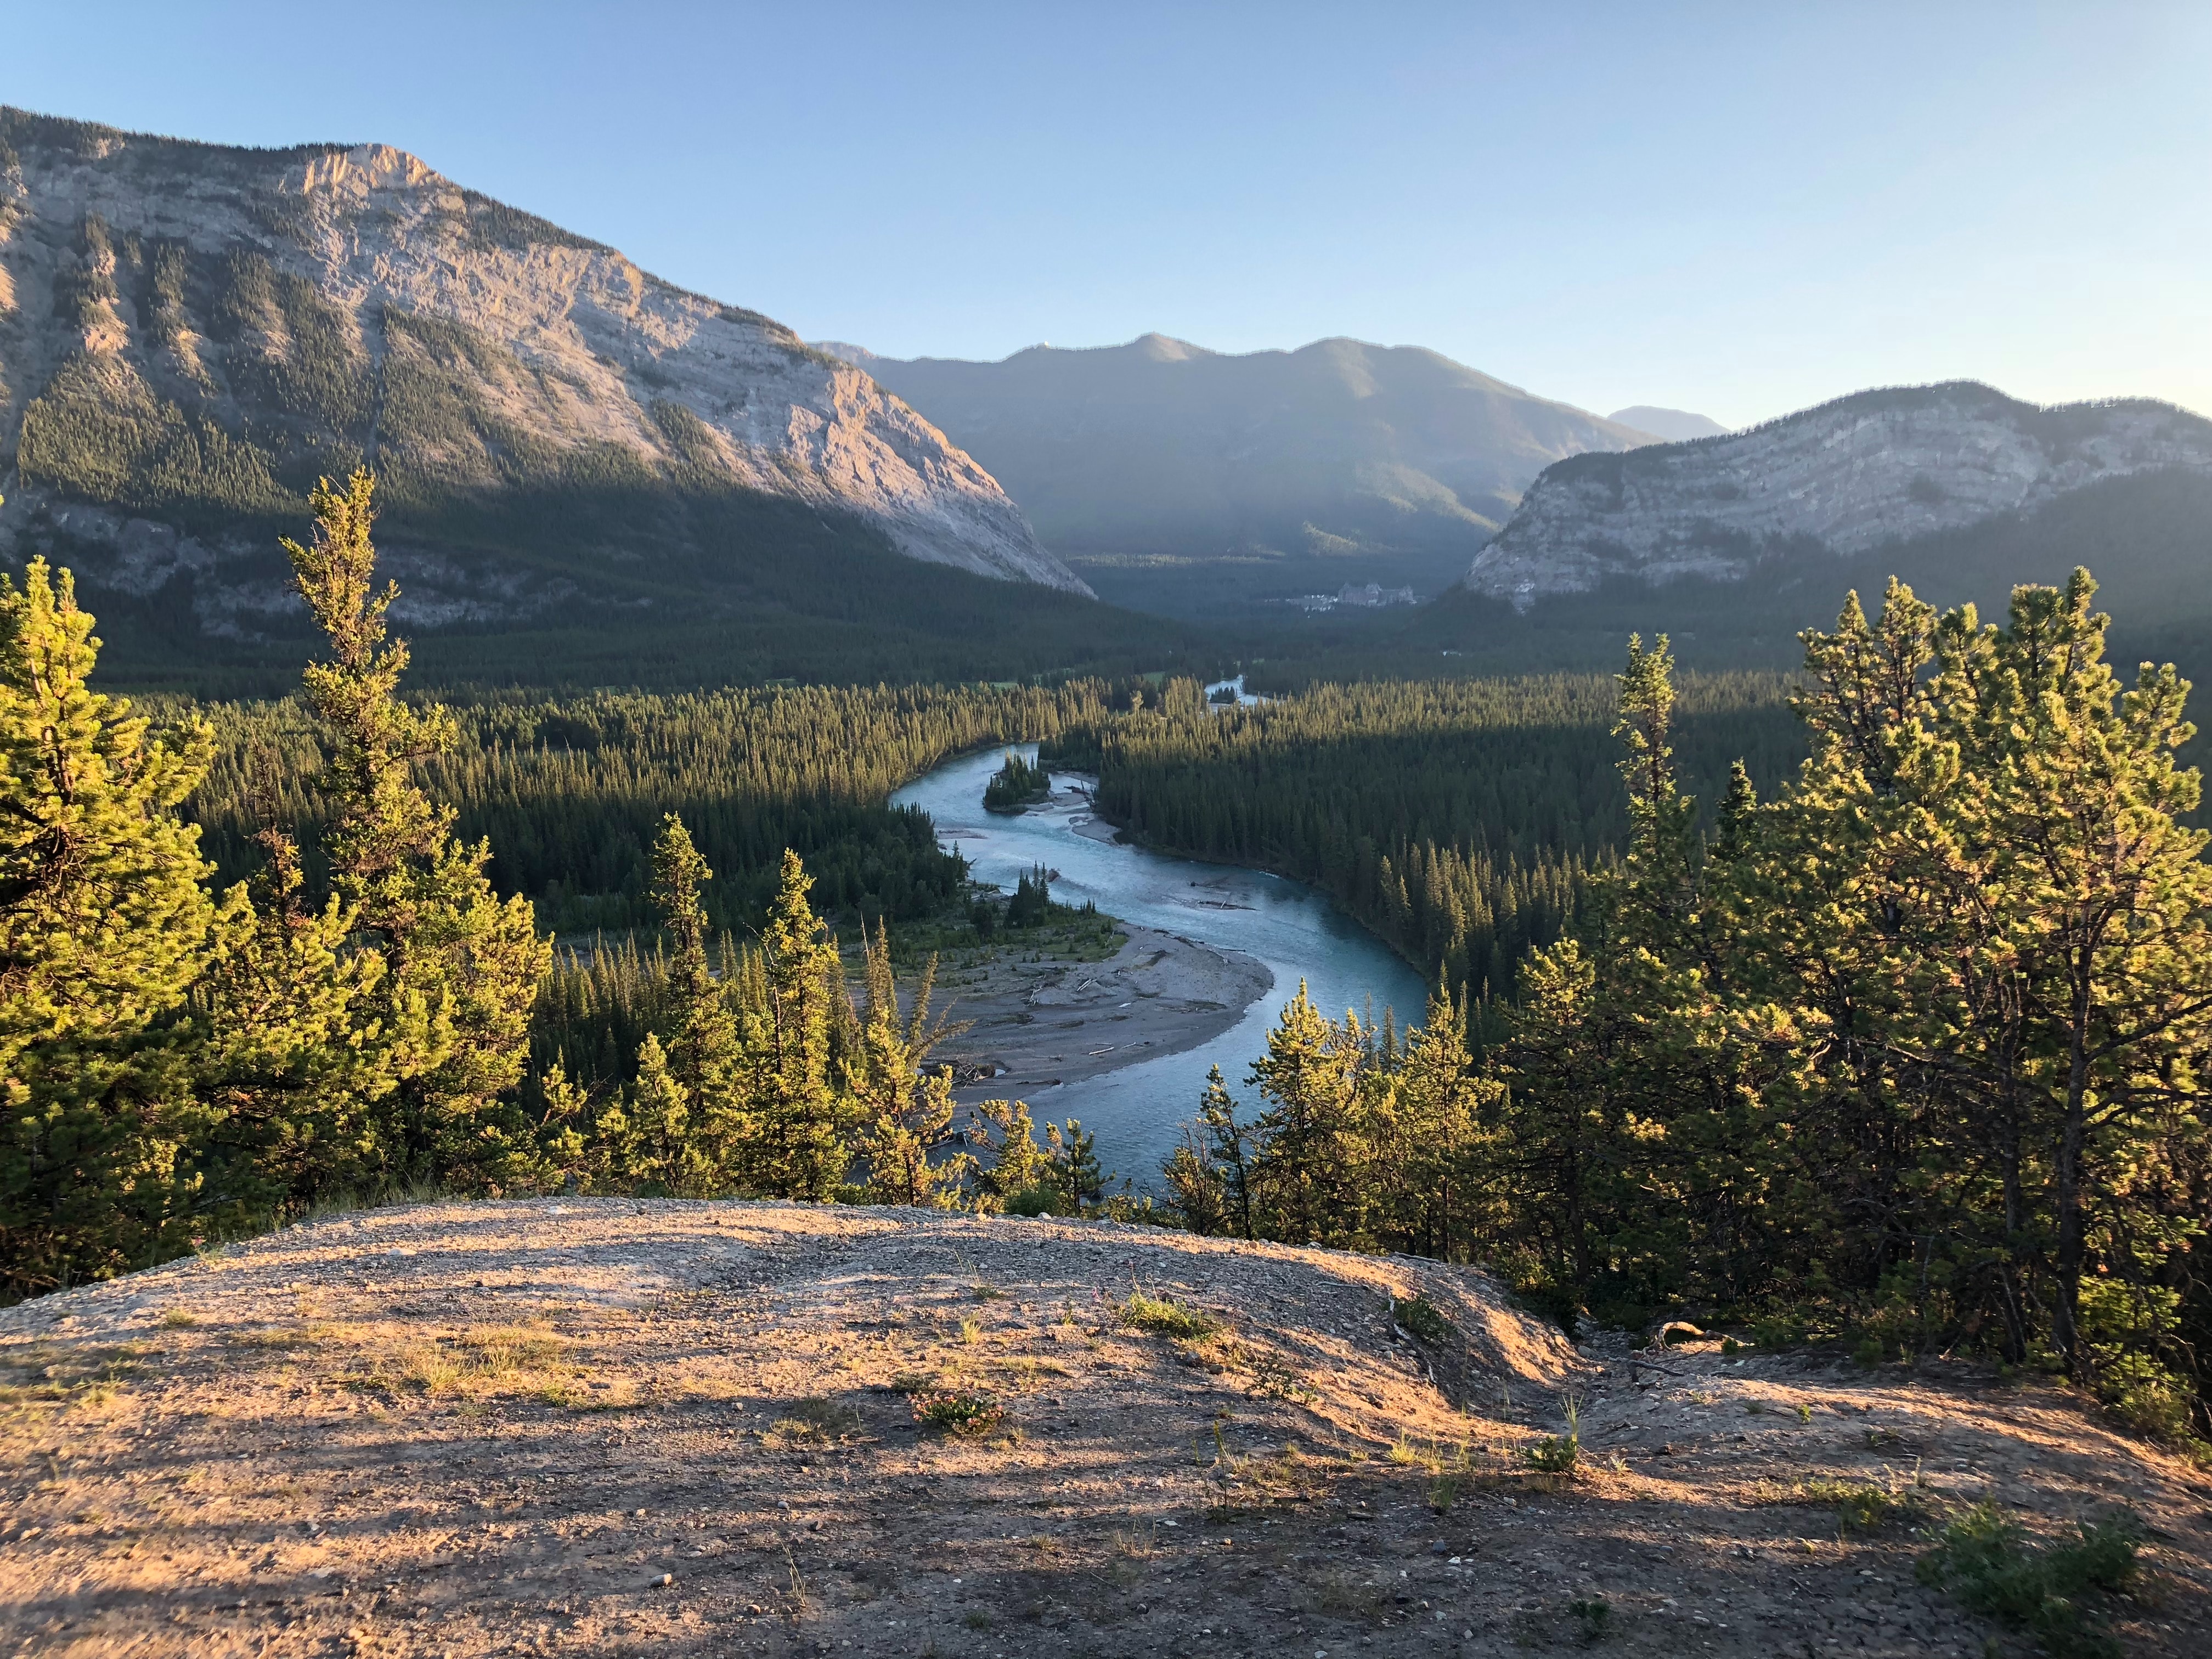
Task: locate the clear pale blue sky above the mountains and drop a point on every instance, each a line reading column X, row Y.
column 1738, row 209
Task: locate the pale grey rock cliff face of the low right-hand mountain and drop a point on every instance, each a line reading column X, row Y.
column 1841, row 479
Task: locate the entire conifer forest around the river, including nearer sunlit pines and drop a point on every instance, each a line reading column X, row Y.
column 1866, row 1005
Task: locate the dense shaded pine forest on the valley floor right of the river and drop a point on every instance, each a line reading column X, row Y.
column 1459, row 820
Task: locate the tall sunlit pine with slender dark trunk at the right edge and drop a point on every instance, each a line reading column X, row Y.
column 2100, row 895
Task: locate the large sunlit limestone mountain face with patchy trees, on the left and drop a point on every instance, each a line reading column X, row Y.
column 189, row 335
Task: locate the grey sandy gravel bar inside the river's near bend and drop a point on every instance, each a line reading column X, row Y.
column 1045, row 1025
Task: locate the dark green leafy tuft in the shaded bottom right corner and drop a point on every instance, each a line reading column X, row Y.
column 2047, row 1592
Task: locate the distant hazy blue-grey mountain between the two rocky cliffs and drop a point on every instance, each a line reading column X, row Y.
column 1264, row 474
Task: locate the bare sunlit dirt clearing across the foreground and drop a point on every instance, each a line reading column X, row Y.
column 598, row 1428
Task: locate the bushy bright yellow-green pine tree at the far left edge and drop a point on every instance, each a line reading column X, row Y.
column 105, row 926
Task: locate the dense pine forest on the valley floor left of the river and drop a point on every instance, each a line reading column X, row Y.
column 572, row 791
